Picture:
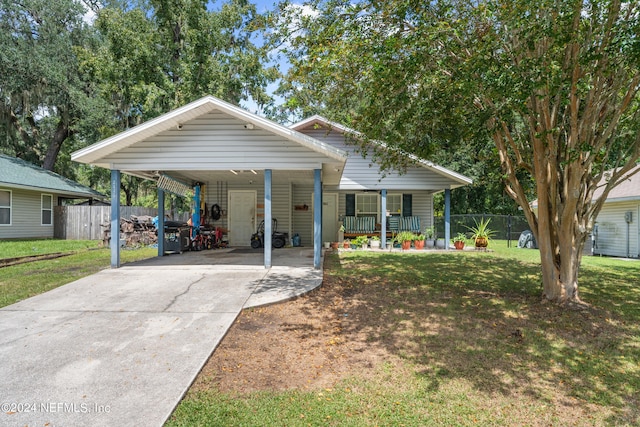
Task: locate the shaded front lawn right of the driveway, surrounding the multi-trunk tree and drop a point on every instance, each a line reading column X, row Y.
column 470, row 343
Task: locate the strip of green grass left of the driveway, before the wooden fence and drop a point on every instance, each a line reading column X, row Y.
column 22, row 281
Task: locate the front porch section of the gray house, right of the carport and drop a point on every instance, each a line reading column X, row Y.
column 356, row 202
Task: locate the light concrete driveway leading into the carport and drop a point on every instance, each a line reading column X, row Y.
column 122, row 346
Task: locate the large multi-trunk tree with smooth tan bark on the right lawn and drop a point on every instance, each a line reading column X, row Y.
column 554, row 84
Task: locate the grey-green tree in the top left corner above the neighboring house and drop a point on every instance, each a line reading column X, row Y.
column 45, row 101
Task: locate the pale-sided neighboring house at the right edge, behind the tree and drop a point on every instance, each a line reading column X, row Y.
column 617, row 230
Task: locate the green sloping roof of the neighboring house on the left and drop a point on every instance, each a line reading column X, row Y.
column 17, row 173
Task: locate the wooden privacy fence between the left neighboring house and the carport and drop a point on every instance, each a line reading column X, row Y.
column 85, row 222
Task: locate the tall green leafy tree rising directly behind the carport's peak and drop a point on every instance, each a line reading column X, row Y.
column 158, row 55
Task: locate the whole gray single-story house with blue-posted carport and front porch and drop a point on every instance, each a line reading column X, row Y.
column 251, row 169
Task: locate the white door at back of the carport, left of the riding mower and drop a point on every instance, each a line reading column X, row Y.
column 242, row 217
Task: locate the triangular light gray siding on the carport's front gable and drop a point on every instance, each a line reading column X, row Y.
column 209, row 137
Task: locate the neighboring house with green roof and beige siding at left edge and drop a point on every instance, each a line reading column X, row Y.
column 28, row 194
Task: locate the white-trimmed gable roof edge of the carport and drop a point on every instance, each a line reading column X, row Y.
column 174, row 119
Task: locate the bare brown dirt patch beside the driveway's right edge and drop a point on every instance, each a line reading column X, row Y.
column 299, row 344
